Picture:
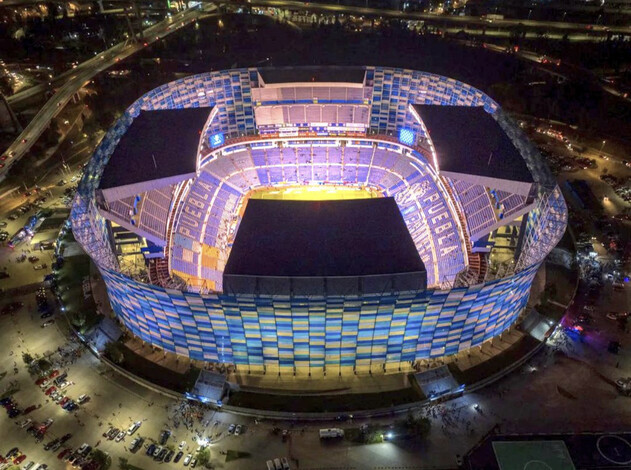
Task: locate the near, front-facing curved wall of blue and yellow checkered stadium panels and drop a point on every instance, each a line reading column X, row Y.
column 320, row 332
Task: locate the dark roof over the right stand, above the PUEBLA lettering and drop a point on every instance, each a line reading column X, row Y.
column 469, row 141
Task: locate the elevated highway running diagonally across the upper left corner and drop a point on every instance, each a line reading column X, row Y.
column 80, row 76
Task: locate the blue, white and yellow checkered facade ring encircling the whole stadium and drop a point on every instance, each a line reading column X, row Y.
column 317, row 332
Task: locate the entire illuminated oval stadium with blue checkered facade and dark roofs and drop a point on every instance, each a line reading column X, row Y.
column 339, row 219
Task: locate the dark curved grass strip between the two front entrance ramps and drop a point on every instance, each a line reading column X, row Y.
column 324, row 403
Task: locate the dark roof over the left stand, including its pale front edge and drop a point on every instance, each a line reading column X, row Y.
column 159, row 145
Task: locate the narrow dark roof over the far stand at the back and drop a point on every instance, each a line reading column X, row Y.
column 273, row 75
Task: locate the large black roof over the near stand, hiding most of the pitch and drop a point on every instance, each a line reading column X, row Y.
column 323, row 239
